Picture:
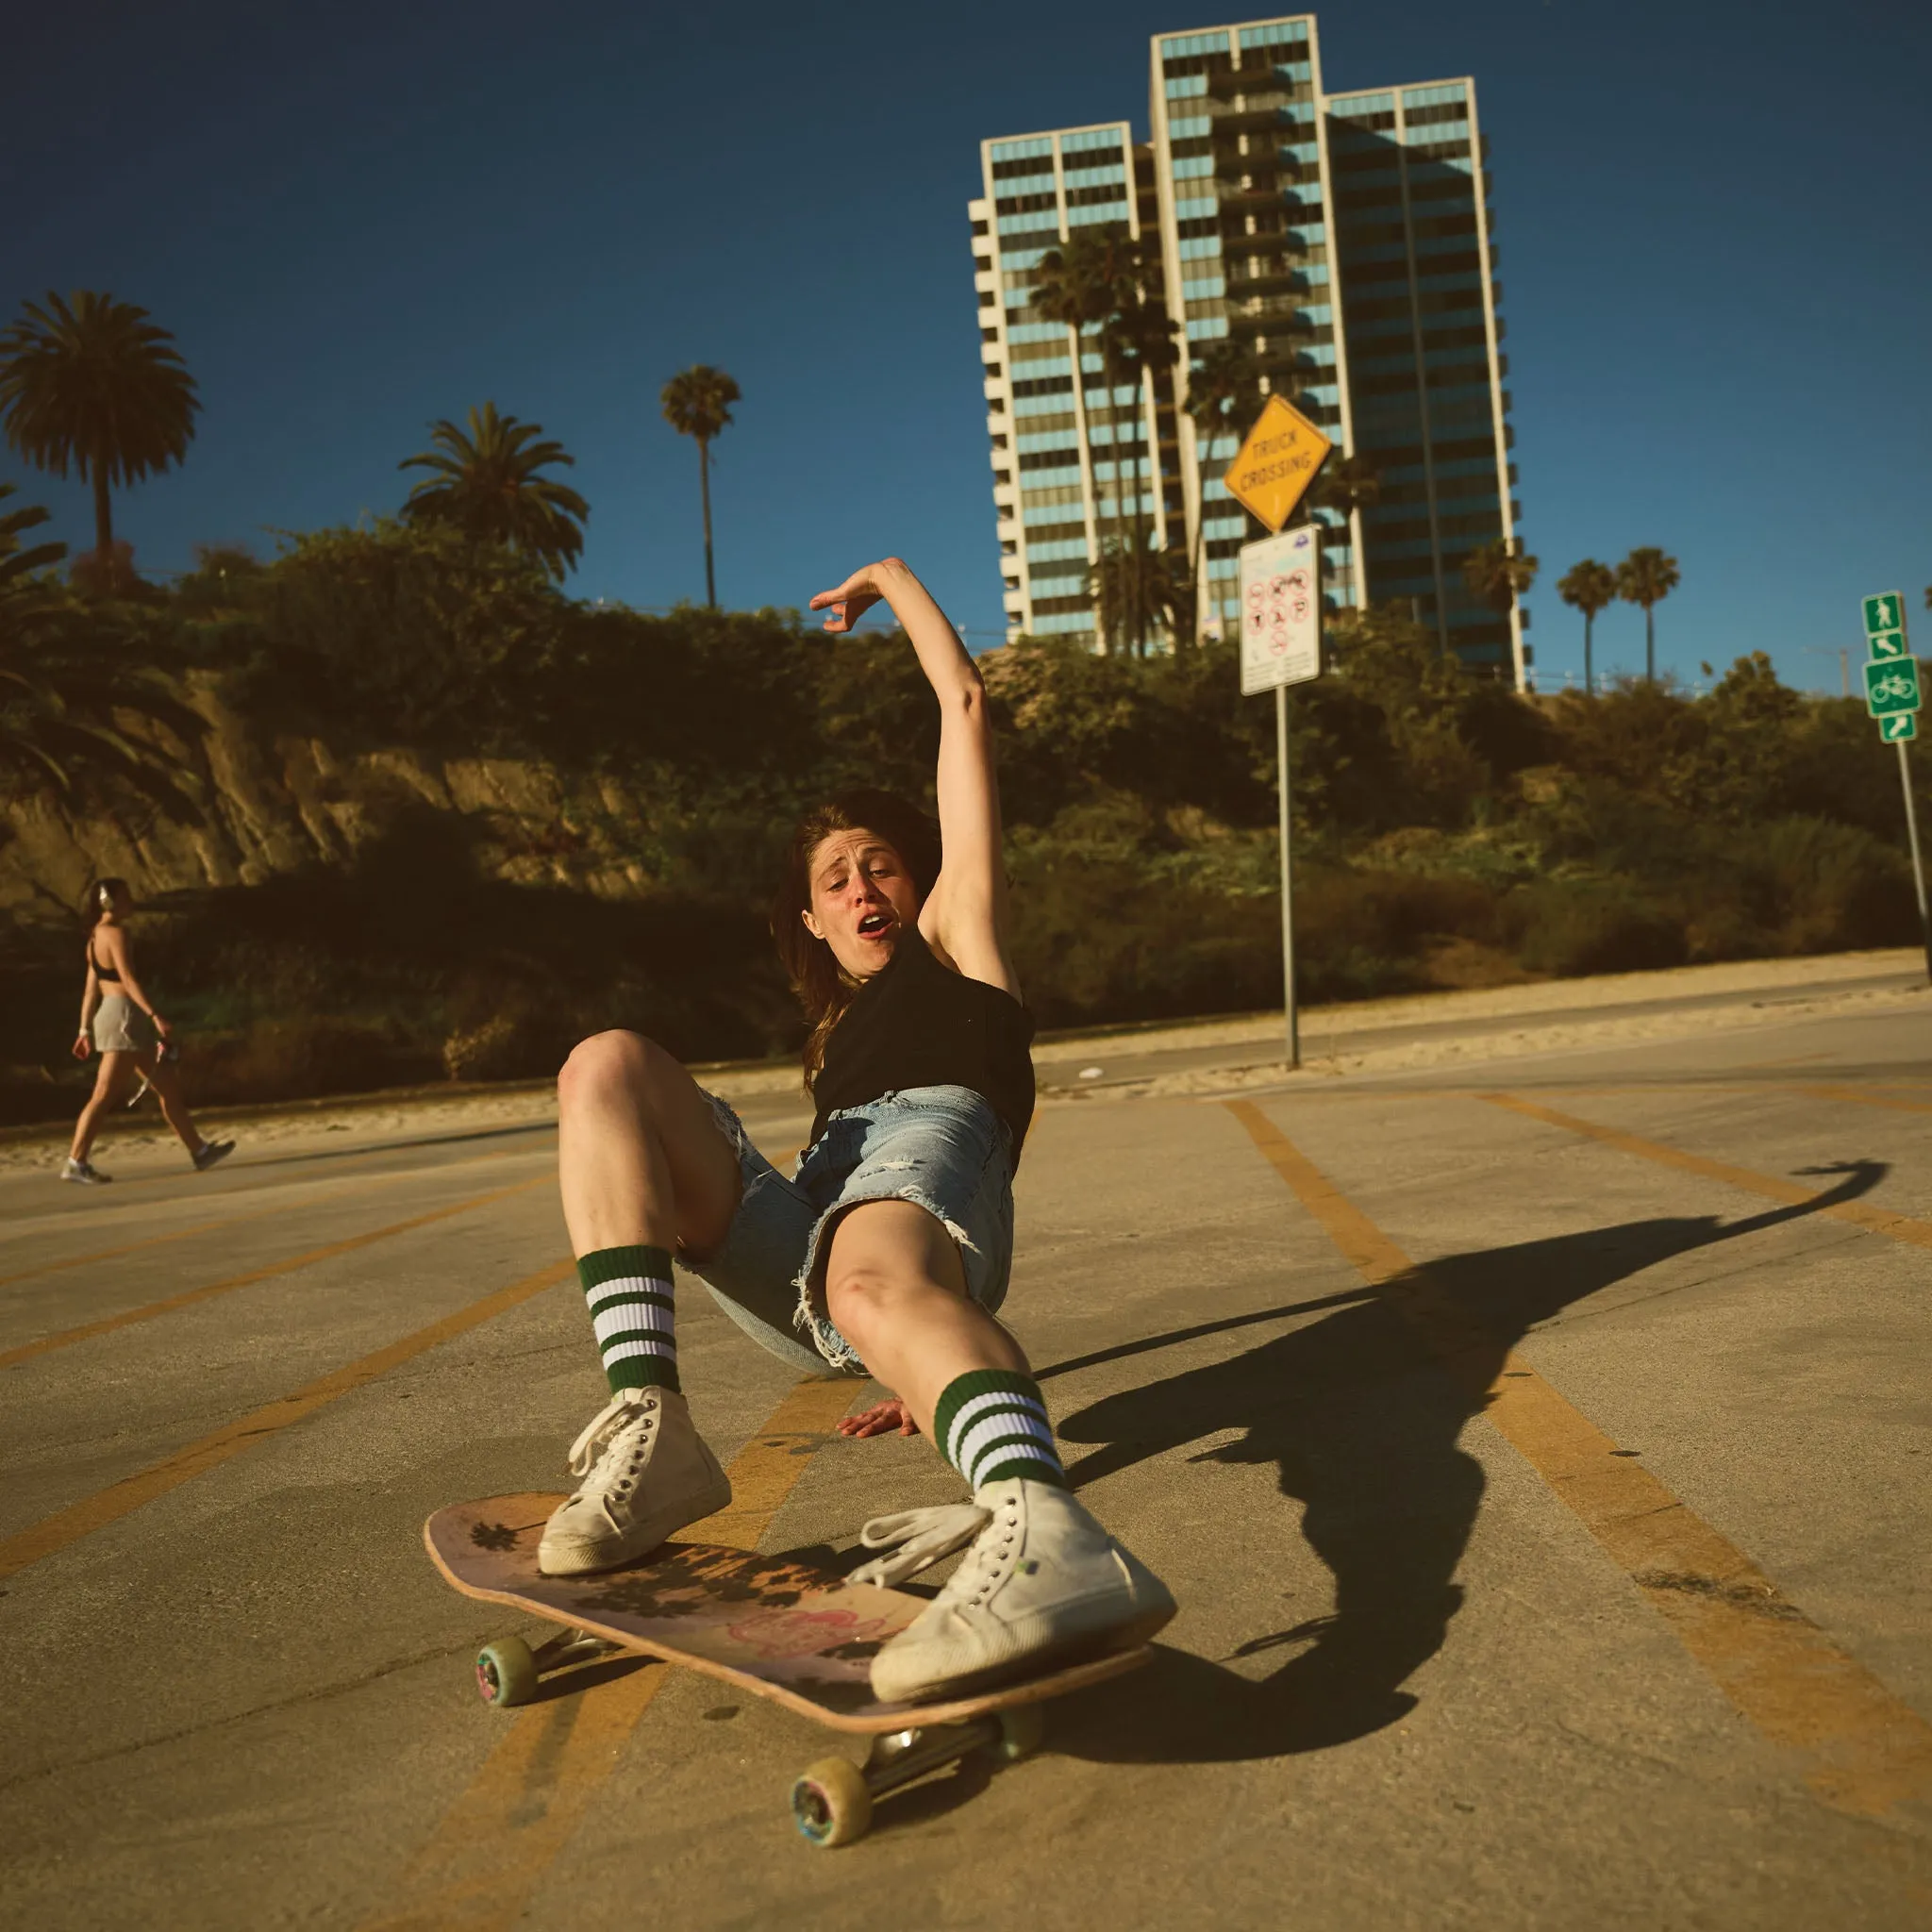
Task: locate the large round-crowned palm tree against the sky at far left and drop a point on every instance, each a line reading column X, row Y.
column 92, row 384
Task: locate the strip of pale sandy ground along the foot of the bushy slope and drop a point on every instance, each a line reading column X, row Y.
column 1487, row 1025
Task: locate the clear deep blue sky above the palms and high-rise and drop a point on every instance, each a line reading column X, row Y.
column 1711, row 223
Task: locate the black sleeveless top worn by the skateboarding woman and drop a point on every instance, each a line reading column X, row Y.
column 917, row 1023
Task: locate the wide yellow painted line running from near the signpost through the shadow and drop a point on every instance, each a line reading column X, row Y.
column 1863, row 1749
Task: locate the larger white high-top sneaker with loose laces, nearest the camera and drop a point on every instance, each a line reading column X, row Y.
column 1042, row 1587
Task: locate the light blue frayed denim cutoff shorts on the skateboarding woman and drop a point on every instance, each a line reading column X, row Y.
column 942, row 1149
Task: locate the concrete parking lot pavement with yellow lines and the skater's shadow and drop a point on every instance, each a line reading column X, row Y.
column 1541, row 1460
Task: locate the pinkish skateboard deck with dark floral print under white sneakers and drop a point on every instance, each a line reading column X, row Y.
column 791, row 1632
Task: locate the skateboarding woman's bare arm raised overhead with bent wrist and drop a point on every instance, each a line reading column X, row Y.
column 965, row 917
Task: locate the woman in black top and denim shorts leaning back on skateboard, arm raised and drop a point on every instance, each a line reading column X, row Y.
column 888, row 1249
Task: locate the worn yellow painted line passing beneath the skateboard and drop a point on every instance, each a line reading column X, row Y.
column 532, row 1792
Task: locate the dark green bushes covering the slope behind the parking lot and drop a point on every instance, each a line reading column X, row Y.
column 1440, row 818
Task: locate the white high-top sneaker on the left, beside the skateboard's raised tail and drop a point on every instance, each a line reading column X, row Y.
column 648, row 1473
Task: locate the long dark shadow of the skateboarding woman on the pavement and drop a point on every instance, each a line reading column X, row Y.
column 1363, row 1419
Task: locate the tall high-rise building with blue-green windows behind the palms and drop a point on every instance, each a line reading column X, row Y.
column 1344, row 244
